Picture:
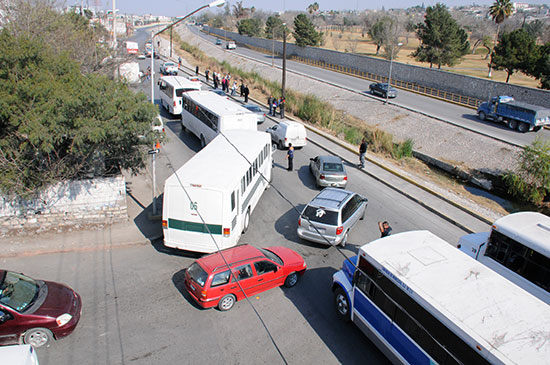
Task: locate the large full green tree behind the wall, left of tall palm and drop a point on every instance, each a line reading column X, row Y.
column 442, row 40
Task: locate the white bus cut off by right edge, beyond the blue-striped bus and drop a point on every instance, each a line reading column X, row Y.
column 518, row 248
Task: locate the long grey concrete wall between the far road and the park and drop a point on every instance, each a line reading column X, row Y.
column 447, row 81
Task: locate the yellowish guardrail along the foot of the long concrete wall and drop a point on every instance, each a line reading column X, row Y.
column 424, row 90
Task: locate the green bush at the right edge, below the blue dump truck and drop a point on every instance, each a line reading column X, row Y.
column 532, row 180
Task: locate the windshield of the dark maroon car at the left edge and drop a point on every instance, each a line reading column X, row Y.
column 18, row 291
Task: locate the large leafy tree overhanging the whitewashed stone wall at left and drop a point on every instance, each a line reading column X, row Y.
column 62, row 114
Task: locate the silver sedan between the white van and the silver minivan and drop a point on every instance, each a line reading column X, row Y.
column 328, row 171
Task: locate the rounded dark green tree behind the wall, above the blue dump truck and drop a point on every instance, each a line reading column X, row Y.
column 515, row 51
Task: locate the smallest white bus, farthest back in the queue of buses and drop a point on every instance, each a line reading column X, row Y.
column 172, row 89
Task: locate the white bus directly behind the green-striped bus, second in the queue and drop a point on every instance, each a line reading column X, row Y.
column 206, row 114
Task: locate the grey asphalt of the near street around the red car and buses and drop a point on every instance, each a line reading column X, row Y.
column 136, row 310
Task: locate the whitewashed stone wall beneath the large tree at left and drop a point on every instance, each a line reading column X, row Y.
column 96, row 201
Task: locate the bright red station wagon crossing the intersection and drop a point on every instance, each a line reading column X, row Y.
column 212, row 283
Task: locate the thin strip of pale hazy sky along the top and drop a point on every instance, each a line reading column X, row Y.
column 184, row 7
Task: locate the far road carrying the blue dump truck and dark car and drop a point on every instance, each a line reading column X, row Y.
column 462, row 116
